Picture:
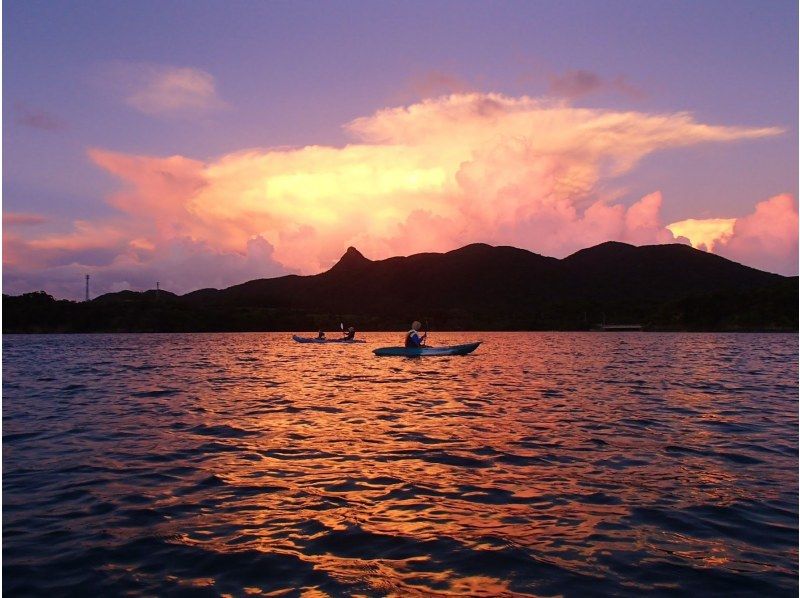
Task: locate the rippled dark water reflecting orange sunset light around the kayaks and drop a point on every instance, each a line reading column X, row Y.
column 542, row 464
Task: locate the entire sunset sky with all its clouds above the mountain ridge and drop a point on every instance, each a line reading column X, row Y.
column 203, row 144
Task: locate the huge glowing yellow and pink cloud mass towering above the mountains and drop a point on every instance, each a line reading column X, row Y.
column 431, row 176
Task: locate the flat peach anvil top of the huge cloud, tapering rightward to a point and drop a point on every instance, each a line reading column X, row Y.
column 484, row 120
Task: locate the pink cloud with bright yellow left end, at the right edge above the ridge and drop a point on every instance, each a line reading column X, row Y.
column 765, row 239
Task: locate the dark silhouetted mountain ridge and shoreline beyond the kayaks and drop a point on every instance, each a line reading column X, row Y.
column 478, row 287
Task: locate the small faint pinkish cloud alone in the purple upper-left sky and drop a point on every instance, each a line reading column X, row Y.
column 162, row 90
